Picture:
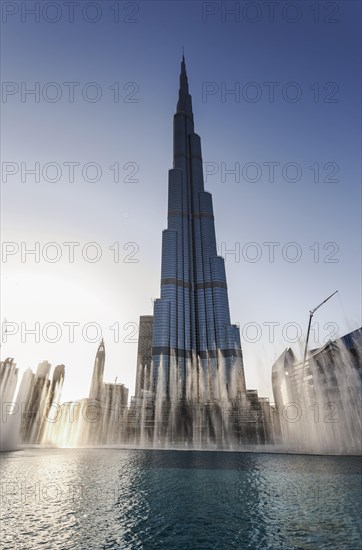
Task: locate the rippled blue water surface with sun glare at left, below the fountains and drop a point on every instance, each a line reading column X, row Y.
column 107, row 498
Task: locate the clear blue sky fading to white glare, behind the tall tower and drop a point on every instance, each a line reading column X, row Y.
column 320, row 129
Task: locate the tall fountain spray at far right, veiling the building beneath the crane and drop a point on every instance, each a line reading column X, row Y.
column 320, row 399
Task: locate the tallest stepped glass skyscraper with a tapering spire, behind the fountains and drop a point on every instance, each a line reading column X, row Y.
column 196, row 351
